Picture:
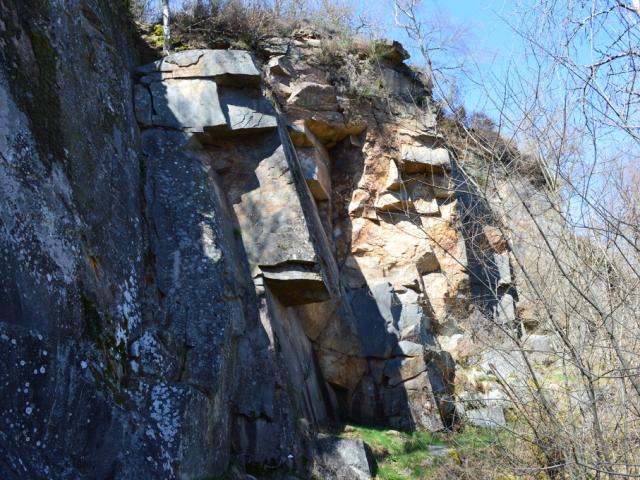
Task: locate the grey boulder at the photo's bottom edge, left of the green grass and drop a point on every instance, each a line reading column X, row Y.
column 336, row 458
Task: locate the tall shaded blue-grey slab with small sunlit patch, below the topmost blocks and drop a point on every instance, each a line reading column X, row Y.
column 193, row 263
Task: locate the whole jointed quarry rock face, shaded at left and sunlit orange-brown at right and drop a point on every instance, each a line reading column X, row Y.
column 193, row 275
